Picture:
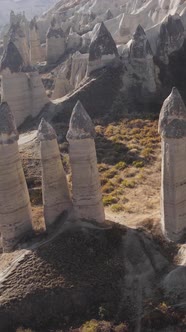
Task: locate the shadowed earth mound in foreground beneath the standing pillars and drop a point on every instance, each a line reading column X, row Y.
column 81, row 272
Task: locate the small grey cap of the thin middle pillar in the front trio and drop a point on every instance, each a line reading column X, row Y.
column 45, row 131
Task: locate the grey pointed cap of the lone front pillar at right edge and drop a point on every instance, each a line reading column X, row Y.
column 172, row 120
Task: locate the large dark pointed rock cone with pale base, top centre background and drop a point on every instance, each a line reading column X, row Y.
column 102, row 49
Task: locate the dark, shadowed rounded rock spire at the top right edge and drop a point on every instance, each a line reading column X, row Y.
column 171, row 37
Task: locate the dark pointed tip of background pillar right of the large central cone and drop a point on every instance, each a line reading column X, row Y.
column 140, row 47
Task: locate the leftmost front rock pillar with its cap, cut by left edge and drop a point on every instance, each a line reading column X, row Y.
column 15, row 208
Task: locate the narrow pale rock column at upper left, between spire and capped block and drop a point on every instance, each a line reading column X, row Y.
column 35, row 46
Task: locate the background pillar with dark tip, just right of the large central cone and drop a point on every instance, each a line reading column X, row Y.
column 141, row 60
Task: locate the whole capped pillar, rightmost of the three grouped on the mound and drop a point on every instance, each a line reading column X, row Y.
column 86, row 189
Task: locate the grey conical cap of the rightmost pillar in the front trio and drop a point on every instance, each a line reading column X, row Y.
column 81, row 126
